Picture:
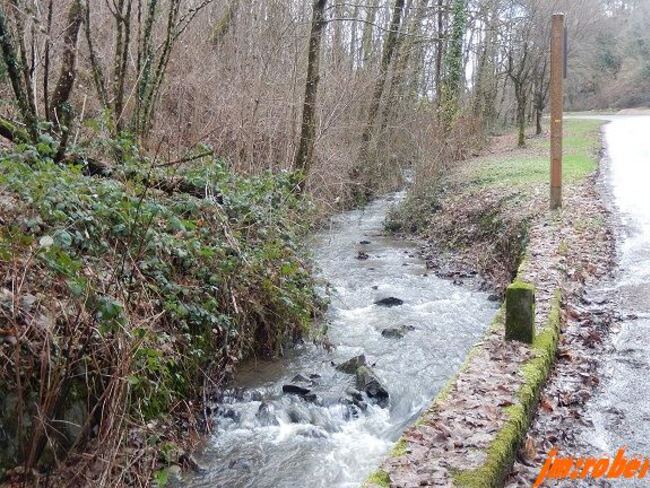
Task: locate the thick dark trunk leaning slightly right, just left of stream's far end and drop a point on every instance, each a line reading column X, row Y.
column 304, row 156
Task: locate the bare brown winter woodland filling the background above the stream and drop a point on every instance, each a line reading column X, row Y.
column 347, row 92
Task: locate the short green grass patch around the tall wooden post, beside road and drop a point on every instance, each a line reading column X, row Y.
column 530, row 166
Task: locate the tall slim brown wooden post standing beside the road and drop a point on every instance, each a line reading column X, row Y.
column 557, row 107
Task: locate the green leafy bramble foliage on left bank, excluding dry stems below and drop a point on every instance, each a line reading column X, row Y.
column 190, row 283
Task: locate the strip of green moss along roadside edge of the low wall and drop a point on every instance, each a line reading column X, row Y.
column 501, row 453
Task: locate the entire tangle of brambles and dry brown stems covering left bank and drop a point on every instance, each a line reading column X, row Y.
column 122, row 301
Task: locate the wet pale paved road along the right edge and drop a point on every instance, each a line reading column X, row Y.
column 621, row 409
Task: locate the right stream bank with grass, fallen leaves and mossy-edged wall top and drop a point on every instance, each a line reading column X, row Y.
column 473, row 432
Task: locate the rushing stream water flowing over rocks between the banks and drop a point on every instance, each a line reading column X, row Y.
column 267, row 439
